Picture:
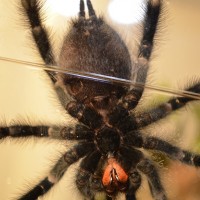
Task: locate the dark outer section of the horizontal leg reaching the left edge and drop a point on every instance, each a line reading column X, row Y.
column 23, row 131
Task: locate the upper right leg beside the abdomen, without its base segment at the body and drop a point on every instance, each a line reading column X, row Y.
column 151, row 20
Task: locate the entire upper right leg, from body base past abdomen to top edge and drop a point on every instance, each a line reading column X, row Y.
column 131, row 99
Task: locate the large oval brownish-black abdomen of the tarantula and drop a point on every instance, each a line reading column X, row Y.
column 92, row 46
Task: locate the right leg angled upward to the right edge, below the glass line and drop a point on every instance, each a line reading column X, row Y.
column 127, row 122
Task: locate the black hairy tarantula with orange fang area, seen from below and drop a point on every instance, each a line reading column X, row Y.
column 109, row 136
